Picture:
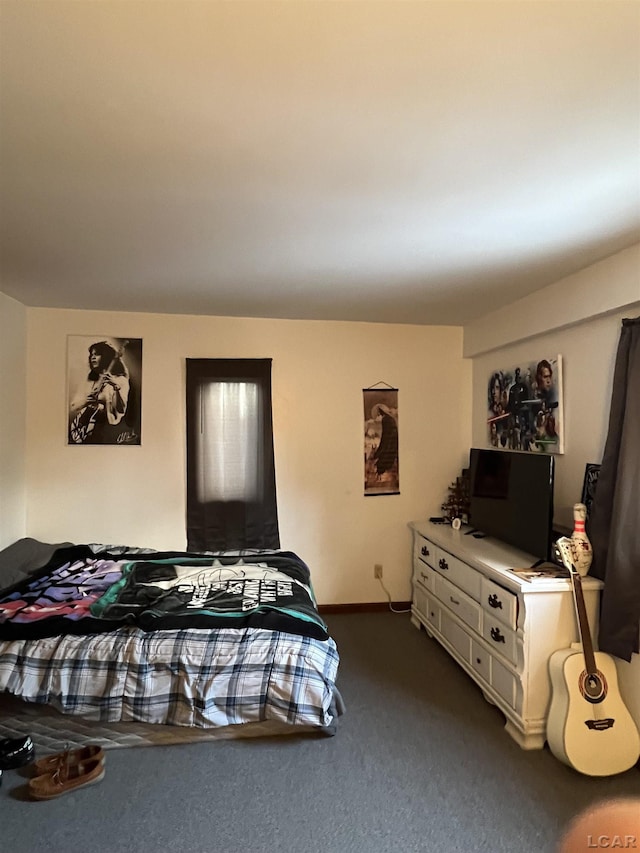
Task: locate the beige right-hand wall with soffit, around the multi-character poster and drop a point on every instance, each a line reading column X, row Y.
column 587, row 338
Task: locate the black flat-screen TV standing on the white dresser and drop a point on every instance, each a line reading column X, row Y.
column 512, row 498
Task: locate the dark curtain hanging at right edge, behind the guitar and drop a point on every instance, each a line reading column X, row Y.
column 614, row 527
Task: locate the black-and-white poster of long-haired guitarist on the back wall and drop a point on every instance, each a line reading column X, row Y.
column 104, row 390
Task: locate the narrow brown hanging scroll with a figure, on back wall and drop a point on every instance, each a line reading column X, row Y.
column 381, row 463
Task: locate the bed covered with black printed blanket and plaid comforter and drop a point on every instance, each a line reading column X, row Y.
column 122, row 634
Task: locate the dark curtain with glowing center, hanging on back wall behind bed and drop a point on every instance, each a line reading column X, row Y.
column 215, row 521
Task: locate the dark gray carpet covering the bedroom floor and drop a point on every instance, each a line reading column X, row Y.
column 420, row 763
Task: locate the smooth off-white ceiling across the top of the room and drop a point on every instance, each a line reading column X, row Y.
column 410, row 162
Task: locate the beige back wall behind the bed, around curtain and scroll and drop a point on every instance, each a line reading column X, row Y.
column 136, row 495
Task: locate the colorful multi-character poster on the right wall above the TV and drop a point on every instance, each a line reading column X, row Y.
column 525, row 407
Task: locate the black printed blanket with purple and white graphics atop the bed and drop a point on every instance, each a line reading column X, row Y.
column 80, row 591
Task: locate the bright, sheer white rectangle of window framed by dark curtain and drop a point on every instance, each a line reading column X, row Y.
column 228, row 441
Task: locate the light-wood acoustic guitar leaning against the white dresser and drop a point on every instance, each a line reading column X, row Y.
column 588, row 727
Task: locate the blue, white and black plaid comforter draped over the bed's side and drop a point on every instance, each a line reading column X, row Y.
column 190, row 677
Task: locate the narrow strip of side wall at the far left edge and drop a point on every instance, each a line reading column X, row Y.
column 13, row 384
